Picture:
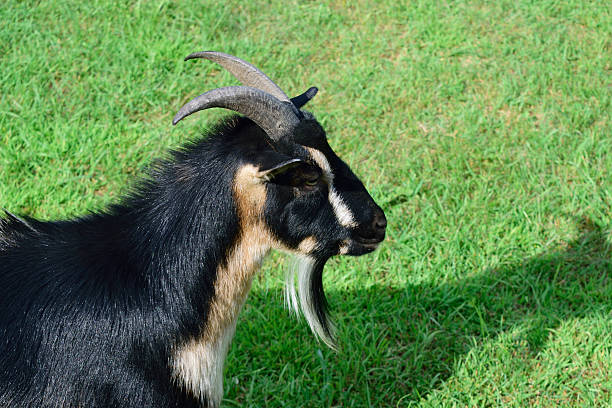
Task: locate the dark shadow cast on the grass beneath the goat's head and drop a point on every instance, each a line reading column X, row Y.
column 402, row 343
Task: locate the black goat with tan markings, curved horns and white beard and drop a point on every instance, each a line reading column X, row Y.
column 136, row 305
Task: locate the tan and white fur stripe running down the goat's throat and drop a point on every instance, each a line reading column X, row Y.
column 199, row 363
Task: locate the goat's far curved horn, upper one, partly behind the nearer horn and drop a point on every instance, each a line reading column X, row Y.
column 245, row 72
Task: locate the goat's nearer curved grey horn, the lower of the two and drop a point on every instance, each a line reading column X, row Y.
column 276, row 118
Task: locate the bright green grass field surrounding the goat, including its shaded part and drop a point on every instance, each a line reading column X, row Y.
column 482, row 128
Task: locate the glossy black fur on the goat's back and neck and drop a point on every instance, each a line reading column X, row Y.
column 90, row 308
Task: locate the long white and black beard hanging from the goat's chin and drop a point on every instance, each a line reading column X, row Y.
column 308, row 297
